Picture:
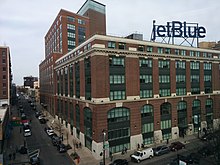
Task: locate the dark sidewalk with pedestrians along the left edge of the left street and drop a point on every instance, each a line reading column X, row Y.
column 11, row 145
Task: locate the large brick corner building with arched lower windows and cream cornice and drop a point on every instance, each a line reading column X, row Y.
column 138, row 91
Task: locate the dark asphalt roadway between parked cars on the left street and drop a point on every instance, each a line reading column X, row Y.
column 40, row 140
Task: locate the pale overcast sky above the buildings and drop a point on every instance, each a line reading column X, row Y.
column 24, row 23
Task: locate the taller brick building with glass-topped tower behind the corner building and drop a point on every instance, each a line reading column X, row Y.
column 67, row 32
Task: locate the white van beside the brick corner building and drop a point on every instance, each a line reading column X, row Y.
column 142, row 154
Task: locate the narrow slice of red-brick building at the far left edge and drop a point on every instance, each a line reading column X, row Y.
column 5, row 76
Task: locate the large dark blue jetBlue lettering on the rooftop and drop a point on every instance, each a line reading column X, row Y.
column 178, row 29
